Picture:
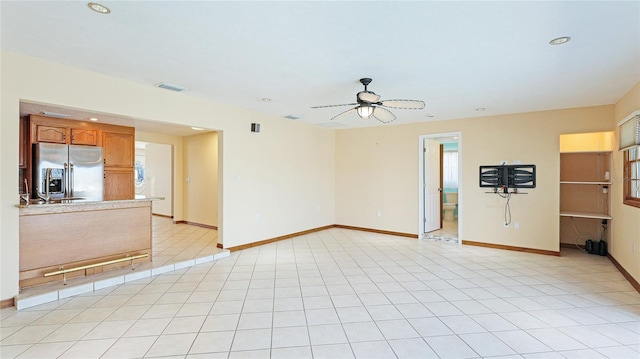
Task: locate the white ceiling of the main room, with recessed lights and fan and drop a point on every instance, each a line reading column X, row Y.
column 456, row 56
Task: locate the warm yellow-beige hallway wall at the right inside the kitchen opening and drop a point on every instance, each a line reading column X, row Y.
column 201, row 178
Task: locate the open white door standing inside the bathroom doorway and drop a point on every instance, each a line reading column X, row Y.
column 432, row 190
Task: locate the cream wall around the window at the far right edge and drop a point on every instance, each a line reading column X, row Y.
column 625, row 226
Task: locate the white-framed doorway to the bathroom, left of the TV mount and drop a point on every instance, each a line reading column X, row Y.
column 440, row 204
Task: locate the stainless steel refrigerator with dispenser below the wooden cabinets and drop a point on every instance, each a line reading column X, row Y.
column 68, row 172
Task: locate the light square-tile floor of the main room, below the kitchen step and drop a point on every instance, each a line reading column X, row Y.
column 341, row 294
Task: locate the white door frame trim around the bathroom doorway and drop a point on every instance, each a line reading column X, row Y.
column 421, row 180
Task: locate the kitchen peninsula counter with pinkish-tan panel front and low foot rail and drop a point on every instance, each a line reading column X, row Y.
column 77, row 233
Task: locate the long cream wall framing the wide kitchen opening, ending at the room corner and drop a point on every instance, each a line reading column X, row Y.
column 283, row 173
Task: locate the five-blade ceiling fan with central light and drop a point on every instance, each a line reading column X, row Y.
column 368, row 105
